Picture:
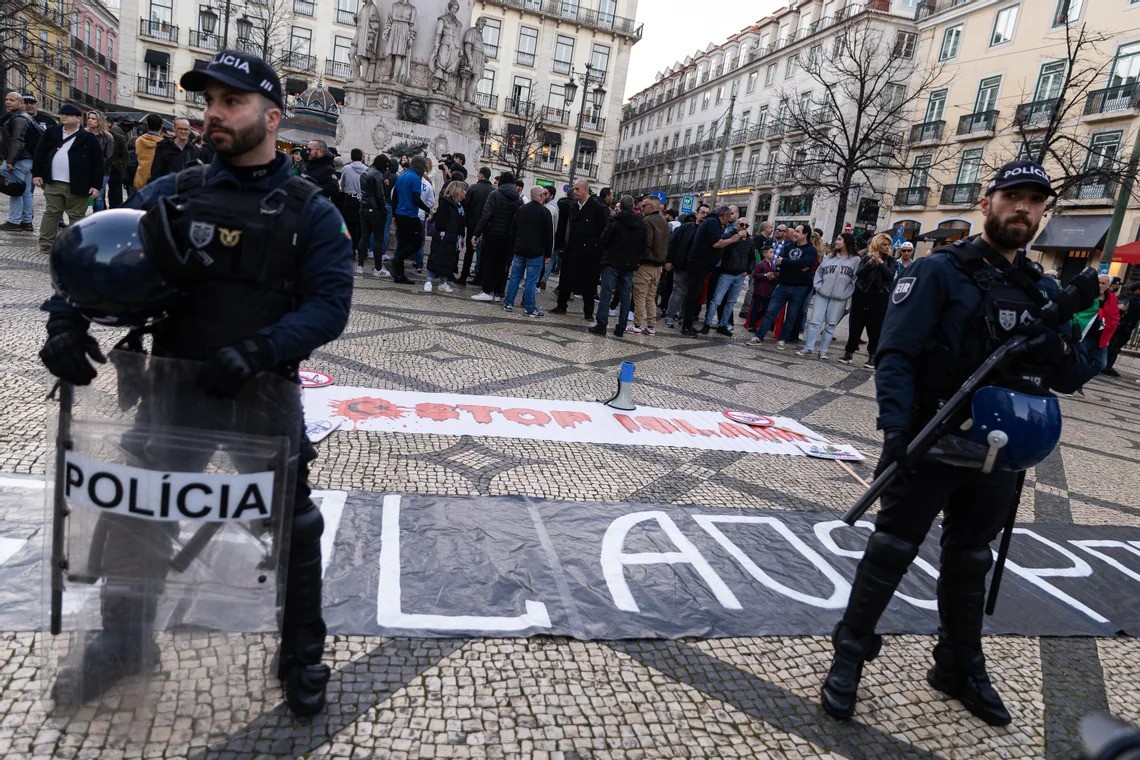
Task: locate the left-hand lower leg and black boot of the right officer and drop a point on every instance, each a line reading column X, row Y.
column 854, row 640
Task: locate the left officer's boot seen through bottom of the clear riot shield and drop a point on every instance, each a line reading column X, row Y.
column 123, row 649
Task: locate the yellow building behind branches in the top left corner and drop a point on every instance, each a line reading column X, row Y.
column 40, row 45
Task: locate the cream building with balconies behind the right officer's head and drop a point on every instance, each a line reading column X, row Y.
column 1011, row 83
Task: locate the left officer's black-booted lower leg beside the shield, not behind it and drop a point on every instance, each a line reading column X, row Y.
column 304, row 631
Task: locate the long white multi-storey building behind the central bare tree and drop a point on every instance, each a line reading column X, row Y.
column 673, row 133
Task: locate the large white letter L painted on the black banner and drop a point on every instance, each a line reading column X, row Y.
column 389, row 614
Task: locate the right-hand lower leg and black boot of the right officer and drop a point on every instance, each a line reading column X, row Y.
column 960, row 667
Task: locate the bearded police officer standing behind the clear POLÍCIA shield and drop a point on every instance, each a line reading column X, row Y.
column 265, row 265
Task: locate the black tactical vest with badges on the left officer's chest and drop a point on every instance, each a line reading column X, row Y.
column 257, row 243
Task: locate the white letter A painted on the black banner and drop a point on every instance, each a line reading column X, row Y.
column 615, row 560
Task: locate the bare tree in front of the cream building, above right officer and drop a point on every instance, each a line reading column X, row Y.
column 1041, row 129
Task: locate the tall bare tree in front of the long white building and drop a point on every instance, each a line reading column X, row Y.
column 864, row 86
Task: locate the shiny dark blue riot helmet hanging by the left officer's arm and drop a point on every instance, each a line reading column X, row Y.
column 101, row 266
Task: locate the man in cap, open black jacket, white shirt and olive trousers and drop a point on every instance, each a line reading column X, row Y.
column 69, row 167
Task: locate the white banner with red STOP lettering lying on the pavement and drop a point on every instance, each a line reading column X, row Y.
column 580, row 422
